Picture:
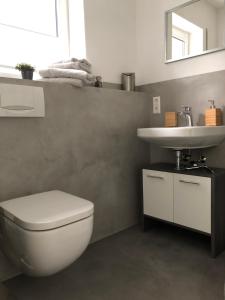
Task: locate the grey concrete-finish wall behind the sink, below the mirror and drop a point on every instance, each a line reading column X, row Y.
column 194, row 91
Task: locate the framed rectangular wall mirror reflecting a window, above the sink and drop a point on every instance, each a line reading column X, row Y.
column 195, row 28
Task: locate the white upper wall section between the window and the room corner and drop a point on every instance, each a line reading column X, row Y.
column 111, row 37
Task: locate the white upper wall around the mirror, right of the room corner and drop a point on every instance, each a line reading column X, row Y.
column 150, row 47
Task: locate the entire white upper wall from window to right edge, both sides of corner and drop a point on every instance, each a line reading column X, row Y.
column 128, row 36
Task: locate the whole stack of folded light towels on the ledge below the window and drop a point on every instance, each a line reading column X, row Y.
column 74, row 71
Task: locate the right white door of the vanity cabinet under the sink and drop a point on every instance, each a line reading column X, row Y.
column 192, row 202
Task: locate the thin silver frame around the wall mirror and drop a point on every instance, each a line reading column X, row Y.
column 167, row 61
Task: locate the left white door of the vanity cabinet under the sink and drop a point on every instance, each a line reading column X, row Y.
column 158, row 194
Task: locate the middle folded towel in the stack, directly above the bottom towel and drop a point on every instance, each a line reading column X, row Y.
column 67, row 73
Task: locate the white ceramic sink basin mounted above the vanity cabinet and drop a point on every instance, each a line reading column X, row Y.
column 179, row 138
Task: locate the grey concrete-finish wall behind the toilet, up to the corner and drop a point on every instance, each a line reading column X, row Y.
column 86, row 145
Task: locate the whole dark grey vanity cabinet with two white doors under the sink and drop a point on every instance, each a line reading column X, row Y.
column 192, row 199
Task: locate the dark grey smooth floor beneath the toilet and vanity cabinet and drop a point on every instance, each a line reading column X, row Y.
column 164, row 263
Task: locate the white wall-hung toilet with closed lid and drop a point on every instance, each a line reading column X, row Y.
column 44, row 233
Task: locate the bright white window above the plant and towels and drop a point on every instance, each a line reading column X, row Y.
column 39, row 31
